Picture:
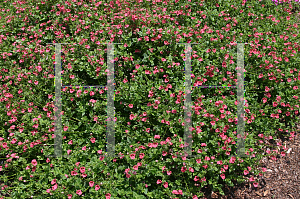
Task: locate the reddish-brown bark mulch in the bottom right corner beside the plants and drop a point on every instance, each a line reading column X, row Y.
column 280, row 181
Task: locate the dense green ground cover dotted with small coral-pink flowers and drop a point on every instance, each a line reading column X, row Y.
column 149, row 97
